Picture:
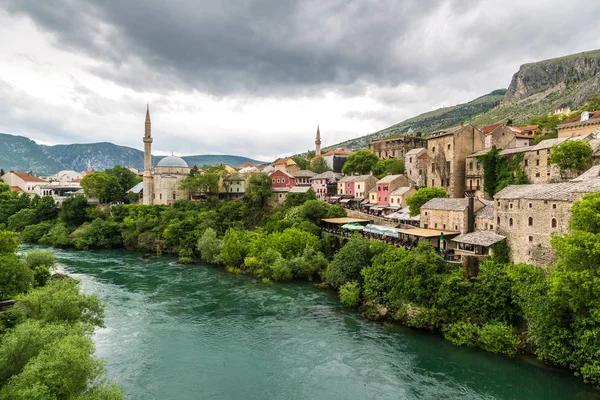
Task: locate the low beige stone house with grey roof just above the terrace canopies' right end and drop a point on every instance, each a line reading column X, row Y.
column 450, row 214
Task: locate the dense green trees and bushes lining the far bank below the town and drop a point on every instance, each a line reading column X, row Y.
column 551, row 312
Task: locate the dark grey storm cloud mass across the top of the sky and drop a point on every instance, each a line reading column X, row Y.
column 231, row 47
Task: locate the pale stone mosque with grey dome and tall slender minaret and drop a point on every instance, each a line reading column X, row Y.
column 161, row 183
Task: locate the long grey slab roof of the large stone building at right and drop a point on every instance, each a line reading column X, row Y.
column 548, row 191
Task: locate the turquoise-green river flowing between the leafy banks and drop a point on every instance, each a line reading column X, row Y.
column 197, row 332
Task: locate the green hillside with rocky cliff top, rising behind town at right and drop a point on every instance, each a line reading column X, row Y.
column 536, row 89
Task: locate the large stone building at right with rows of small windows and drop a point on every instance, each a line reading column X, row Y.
column 528, row 215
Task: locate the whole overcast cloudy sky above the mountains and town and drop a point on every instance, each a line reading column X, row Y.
column 254, row 78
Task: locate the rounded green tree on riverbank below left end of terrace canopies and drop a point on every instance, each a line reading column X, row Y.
column 348, row 262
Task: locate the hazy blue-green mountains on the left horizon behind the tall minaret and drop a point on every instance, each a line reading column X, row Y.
column 19, row 153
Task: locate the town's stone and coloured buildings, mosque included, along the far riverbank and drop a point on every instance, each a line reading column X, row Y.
column 468, row 223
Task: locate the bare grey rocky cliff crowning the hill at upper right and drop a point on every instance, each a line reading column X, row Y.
column 556, row 74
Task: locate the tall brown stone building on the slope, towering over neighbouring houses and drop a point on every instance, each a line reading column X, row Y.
column 448, row 150
